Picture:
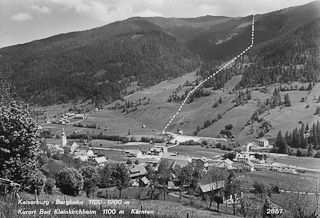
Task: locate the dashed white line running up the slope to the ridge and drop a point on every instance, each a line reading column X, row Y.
column 200, row 84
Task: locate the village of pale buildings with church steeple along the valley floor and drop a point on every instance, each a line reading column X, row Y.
column 252, row 158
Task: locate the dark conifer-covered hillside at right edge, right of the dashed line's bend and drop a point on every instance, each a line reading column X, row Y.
column 293, row 57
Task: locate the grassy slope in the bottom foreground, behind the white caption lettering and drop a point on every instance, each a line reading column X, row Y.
column 161, row 209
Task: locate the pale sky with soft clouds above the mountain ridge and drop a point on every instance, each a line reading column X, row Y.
column 23, row 21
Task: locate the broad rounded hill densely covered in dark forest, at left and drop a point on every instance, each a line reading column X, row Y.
column 97, row 64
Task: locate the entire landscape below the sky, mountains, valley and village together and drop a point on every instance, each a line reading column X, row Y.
column 143, row 110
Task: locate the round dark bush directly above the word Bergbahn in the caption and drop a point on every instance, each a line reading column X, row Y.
column 69, row 181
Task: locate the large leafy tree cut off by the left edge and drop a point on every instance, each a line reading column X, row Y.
column 19, row 144
